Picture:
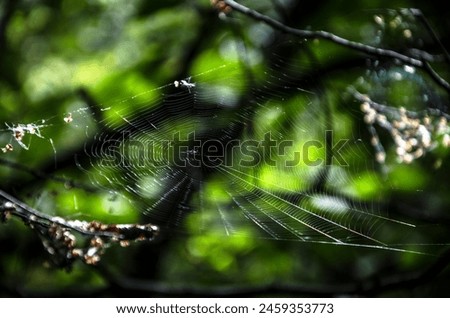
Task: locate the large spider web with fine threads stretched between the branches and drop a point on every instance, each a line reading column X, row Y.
column 237, row 150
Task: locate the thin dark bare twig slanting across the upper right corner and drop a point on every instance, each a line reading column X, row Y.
column 371, row 50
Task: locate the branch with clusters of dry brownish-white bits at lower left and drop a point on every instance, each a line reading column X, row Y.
column 58, row 234
